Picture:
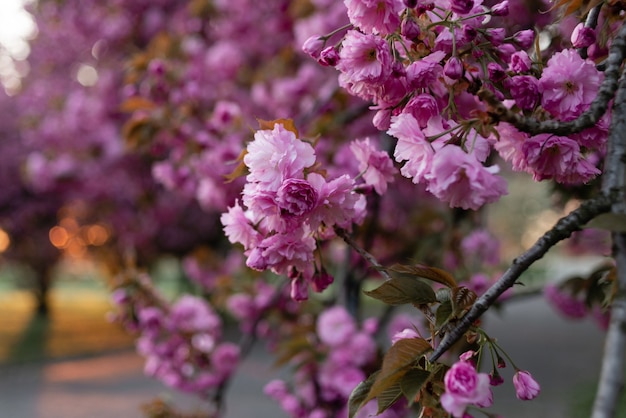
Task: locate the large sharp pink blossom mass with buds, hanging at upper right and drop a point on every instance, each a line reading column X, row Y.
column 422, row 65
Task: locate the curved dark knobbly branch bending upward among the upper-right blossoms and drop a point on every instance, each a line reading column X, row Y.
column 598, row 107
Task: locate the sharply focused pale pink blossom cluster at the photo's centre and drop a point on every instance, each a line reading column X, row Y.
column 287, row 207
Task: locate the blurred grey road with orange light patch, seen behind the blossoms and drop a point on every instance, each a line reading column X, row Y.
column 563, row 356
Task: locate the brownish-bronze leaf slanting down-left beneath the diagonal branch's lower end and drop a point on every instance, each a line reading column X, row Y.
column 396, row 363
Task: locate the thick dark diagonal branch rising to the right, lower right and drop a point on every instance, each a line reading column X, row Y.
column 561, row 230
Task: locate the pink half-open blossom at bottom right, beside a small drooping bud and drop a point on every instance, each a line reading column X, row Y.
column 465, row 386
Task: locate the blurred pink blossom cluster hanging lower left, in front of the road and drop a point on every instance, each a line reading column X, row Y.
column 182, row 342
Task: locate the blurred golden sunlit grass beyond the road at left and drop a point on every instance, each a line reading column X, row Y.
column 76, row 325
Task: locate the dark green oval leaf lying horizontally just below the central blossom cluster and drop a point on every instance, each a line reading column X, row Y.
column 403, row 290
